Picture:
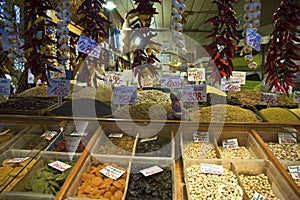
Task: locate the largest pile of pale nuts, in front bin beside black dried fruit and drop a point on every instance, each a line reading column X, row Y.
column 211, row 186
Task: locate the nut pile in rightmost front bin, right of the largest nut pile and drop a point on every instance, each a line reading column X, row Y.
column 257, row 183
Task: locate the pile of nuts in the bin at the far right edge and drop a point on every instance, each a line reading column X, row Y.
column 285, row 151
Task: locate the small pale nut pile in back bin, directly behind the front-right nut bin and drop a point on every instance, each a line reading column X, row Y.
column 240, row 153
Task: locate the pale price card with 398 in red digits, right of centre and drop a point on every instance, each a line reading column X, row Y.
column 194, row 93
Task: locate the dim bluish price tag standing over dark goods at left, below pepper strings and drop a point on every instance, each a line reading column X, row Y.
column 59, row 87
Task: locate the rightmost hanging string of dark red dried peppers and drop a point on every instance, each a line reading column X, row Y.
column 280, row 65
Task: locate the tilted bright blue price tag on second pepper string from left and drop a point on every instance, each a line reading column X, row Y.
column 88, row 46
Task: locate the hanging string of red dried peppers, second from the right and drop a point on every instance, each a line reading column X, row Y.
column 225, row 32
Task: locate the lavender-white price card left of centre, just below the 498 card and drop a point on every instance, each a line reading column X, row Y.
column 125, row 95
